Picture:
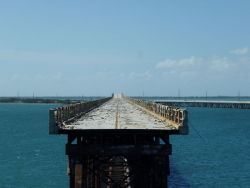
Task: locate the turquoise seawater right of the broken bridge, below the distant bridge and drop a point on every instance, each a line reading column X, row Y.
column 216, row 153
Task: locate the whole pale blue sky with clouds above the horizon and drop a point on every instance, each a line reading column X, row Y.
column 151, row 48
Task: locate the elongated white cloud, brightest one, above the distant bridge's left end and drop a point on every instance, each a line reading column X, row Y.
column 186, row 62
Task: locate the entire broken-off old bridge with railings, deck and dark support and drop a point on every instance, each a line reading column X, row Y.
column 118, row 141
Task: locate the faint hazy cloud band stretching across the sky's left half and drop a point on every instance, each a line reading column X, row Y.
column 62, row 58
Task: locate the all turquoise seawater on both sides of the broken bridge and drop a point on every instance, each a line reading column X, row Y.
column 216, row 153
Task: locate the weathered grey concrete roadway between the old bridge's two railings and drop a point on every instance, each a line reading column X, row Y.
column 118, row 113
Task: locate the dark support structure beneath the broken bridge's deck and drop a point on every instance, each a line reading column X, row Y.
column 124, row 161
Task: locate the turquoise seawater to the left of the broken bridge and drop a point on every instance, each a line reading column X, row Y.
column 29, row 156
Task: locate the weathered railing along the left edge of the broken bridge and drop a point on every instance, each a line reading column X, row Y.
column 70, row 113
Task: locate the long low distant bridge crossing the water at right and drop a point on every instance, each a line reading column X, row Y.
column 206, row 104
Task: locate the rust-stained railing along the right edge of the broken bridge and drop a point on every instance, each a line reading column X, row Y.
column 177, row 117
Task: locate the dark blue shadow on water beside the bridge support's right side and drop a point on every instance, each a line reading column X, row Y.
column 176, row 180
